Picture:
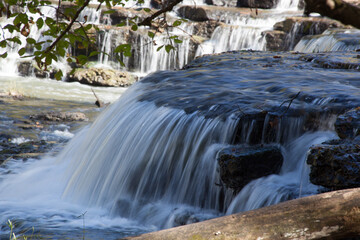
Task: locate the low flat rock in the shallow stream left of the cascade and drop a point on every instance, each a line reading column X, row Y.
column 60, row 116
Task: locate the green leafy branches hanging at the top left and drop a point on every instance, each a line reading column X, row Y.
column 67, row 30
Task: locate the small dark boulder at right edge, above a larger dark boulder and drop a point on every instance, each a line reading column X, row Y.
column 347, row 125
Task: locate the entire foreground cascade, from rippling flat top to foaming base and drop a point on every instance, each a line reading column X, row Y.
column 149, row 161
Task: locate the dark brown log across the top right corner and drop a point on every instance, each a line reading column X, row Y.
column 340, row 10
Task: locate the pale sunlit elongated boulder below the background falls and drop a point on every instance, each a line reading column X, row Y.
column 102, row 77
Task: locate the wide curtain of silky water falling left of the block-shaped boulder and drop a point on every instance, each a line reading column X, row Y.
column 165, row 155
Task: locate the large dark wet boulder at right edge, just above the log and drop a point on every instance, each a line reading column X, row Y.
column 335, row 164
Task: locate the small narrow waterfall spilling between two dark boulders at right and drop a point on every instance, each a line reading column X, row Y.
column 292, row 182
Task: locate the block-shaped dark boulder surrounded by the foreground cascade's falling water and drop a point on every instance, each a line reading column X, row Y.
column 240, row 165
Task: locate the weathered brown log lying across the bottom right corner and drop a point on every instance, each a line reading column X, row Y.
column 332, row 215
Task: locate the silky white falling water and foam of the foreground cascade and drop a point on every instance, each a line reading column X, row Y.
column 142, row 167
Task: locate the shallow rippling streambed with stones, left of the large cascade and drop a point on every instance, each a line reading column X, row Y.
column 25, row 136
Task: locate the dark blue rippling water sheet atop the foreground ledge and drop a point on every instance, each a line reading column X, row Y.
column 263, row 82
